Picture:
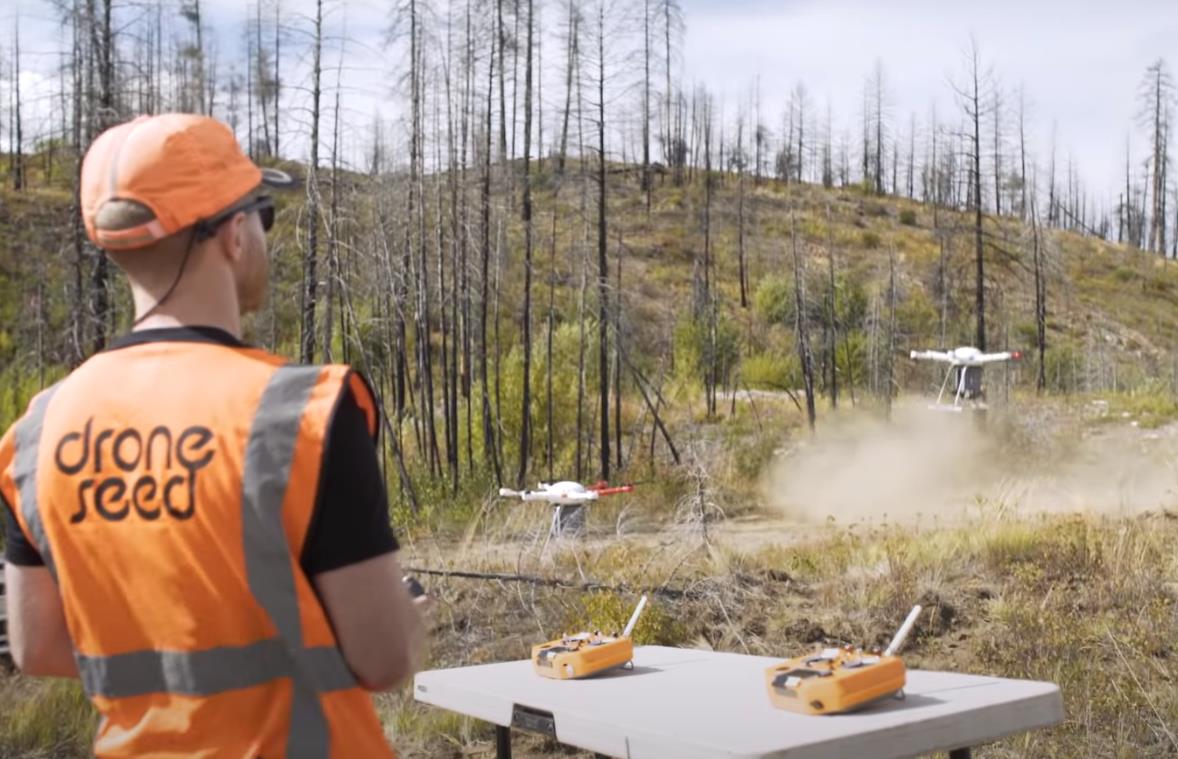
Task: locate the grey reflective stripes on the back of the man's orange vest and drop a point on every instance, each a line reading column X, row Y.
column 313, row 671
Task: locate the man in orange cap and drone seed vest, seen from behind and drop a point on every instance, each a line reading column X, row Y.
column 196, row 529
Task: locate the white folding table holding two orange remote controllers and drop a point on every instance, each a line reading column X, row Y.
column 687, row 704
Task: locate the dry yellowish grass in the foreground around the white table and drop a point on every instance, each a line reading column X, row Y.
column 1084, row 602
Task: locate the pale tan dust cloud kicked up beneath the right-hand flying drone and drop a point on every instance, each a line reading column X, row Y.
column 945, row 467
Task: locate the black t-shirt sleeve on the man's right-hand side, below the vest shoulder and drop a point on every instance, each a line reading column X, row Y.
column 350, row 522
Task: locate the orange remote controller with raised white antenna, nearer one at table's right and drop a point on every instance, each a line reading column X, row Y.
column 838, row 681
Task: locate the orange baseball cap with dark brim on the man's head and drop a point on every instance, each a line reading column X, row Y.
column 181, row 167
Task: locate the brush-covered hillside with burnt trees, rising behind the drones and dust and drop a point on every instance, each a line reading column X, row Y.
column 1111, row 327
